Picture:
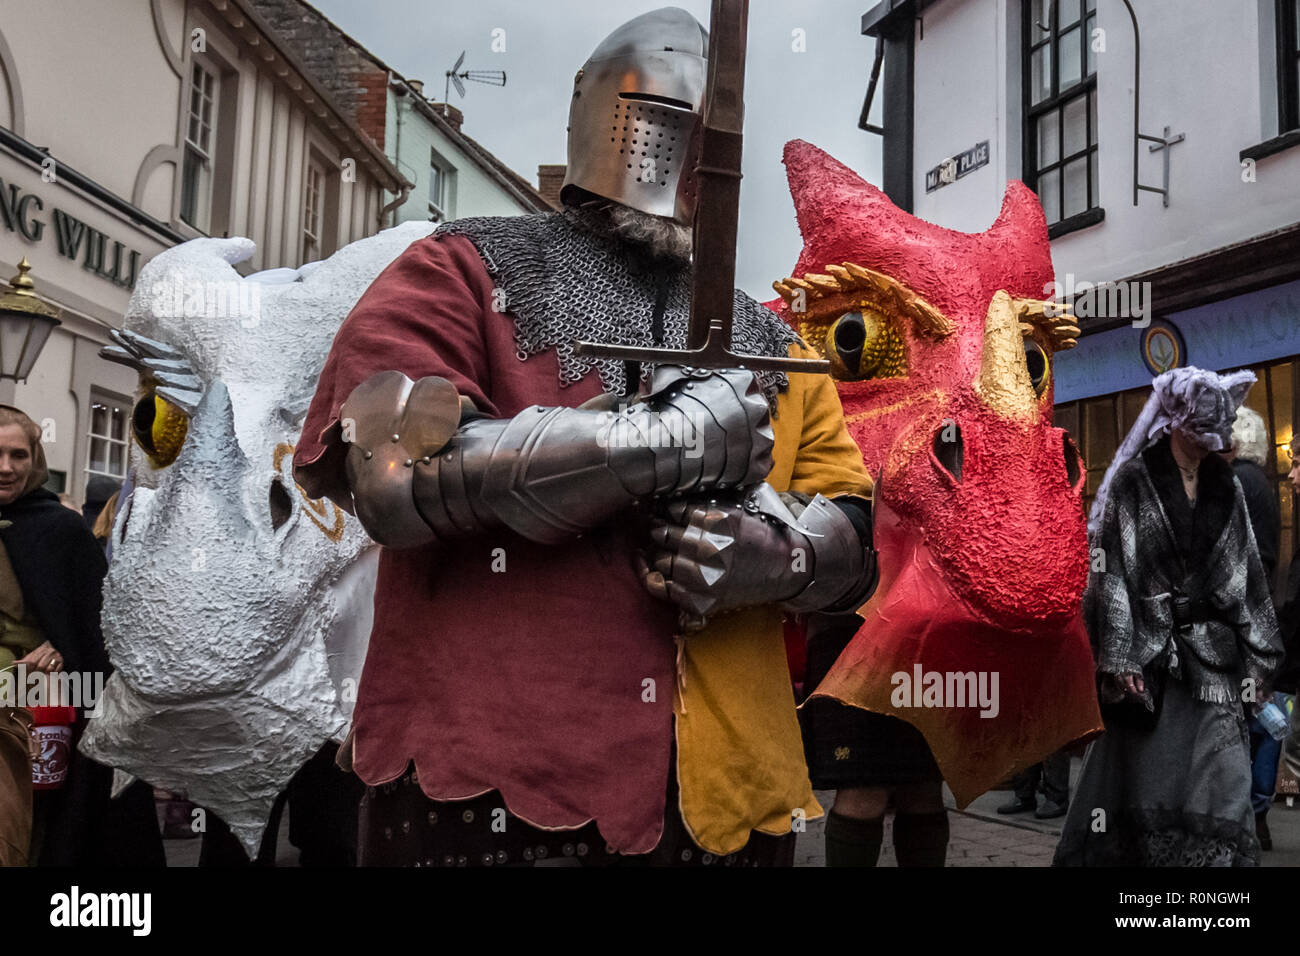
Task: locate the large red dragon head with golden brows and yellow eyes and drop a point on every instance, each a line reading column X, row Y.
column 943, row 347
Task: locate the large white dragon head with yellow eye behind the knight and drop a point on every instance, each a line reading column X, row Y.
column 236, row 609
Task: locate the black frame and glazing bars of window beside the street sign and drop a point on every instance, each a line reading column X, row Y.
column 1056, row 102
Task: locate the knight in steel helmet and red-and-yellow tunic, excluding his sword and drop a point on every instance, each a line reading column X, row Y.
column 578, row 646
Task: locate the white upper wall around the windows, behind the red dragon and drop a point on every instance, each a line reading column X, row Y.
column 1202, row 73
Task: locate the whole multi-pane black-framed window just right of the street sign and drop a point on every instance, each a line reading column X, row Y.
column 1060, row 73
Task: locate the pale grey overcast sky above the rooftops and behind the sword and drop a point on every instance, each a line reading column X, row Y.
column 814, row 96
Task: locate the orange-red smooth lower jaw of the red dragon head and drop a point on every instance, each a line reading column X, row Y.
column 925, row 655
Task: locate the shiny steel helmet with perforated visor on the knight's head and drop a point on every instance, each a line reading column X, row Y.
column 636, row 115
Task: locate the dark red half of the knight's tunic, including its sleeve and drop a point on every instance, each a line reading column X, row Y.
column 521, row 669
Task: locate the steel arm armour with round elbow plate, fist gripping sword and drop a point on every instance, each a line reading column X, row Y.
column 549, row 474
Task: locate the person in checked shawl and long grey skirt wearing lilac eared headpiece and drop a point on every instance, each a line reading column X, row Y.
column 1185, row 637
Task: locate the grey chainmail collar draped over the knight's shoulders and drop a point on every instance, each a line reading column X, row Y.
column 566, row 278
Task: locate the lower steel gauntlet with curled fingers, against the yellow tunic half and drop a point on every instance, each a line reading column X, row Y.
column 721, row 555
